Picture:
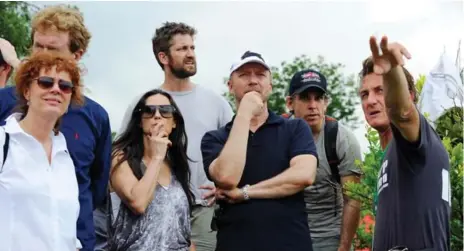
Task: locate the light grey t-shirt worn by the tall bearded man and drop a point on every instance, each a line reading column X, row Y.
column 203, row 111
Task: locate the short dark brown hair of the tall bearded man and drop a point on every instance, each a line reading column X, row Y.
column 162, row 40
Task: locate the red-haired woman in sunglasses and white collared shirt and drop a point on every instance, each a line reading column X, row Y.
column 39, row 203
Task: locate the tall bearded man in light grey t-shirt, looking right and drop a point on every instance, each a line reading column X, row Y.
column 203, row 111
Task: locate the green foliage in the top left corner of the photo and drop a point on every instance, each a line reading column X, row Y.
column 15, row 27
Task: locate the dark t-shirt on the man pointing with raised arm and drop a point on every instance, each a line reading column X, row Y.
column 414, row 194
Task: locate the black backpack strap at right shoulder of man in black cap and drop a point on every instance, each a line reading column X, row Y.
column 330, row 144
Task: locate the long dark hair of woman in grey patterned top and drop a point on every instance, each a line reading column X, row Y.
column 129, row 145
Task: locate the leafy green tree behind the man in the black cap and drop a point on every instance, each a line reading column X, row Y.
column 342, row 89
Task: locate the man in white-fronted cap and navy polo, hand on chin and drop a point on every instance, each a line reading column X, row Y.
column 260, row 163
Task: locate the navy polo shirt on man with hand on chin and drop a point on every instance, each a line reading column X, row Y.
column 264, row 224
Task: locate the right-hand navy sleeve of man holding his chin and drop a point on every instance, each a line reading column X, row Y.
column 302, row 141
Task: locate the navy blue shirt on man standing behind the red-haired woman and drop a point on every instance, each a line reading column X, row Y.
column 88, row 137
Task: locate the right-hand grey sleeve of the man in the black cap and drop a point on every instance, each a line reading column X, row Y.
column 348, row 151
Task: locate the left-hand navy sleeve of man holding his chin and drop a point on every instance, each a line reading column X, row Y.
column 211, row 147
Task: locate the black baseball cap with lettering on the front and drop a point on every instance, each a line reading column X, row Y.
column 306, row 79
